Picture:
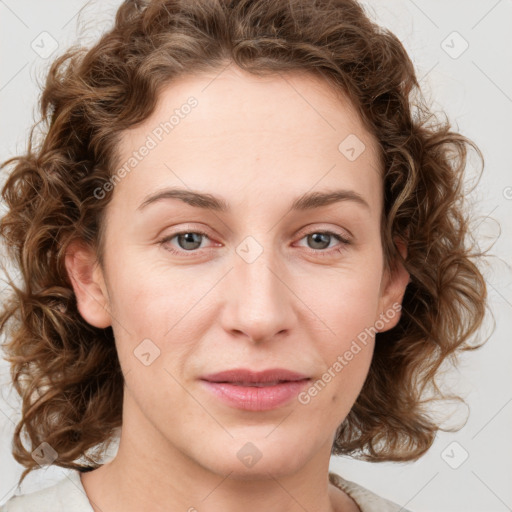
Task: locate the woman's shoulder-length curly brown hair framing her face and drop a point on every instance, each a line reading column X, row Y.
column 67, row 372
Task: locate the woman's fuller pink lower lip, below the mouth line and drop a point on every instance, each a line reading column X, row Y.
column 251, row 398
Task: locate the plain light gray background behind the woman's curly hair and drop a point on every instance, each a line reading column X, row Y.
column 476, row 91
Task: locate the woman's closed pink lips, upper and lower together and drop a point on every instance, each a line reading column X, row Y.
column 255, row 391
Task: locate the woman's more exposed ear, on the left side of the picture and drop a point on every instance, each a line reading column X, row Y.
column 88, row 282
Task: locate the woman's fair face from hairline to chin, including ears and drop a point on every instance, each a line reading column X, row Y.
column 254, row 279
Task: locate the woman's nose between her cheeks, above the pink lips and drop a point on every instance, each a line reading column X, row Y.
column 258, row 304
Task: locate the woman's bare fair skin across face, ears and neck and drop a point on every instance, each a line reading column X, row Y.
column 259, row 143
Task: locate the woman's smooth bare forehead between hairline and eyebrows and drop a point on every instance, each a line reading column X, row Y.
column 274, row 134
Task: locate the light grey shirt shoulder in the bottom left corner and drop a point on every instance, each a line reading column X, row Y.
column 67, row 495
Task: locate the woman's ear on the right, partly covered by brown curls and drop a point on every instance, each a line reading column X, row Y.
column 392, row 291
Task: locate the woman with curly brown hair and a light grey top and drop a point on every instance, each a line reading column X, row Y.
column 243, row 248
